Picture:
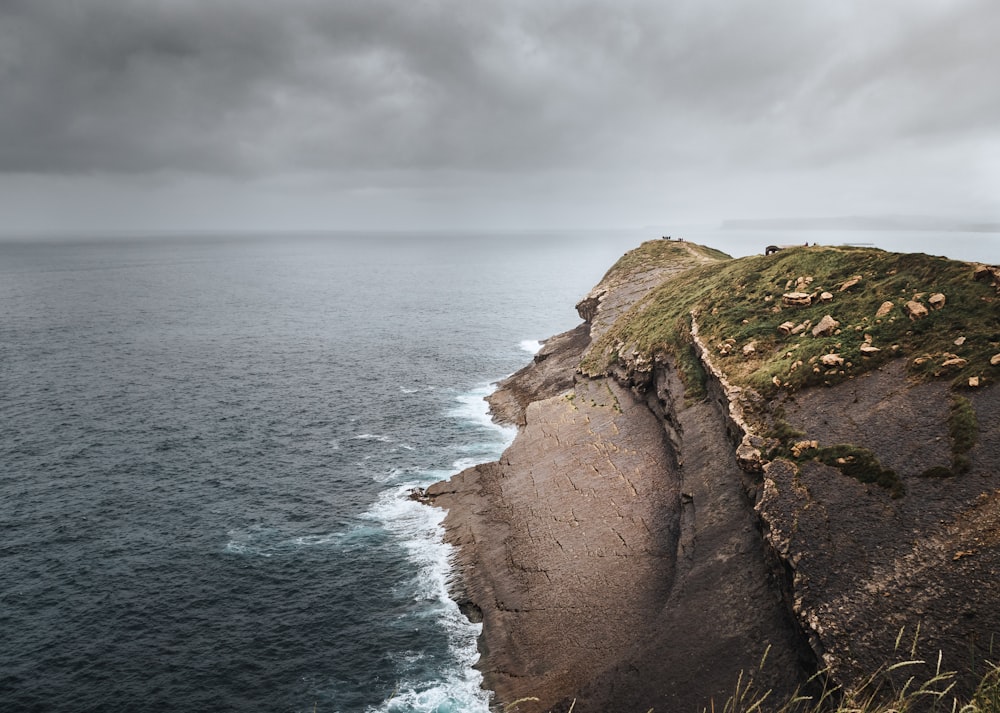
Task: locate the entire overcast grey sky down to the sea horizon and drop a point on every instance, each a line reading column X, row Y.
column 304, row 114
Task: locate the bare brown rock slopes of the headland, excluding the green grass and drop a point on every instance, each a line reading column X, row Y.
column 634, row 548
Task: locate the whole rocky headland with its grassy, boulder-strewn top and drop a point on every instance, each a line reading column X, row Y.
column 791, row 454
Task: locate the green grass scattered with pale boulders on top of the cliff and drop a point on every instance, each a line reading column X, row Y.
column 740, row 311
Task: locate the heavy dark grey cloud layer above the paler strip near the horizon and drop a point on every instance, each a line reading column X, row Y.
column 636, row 89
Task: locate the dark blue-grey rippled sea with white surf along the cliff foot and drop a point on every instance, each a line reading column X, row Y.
column 208, row 443
